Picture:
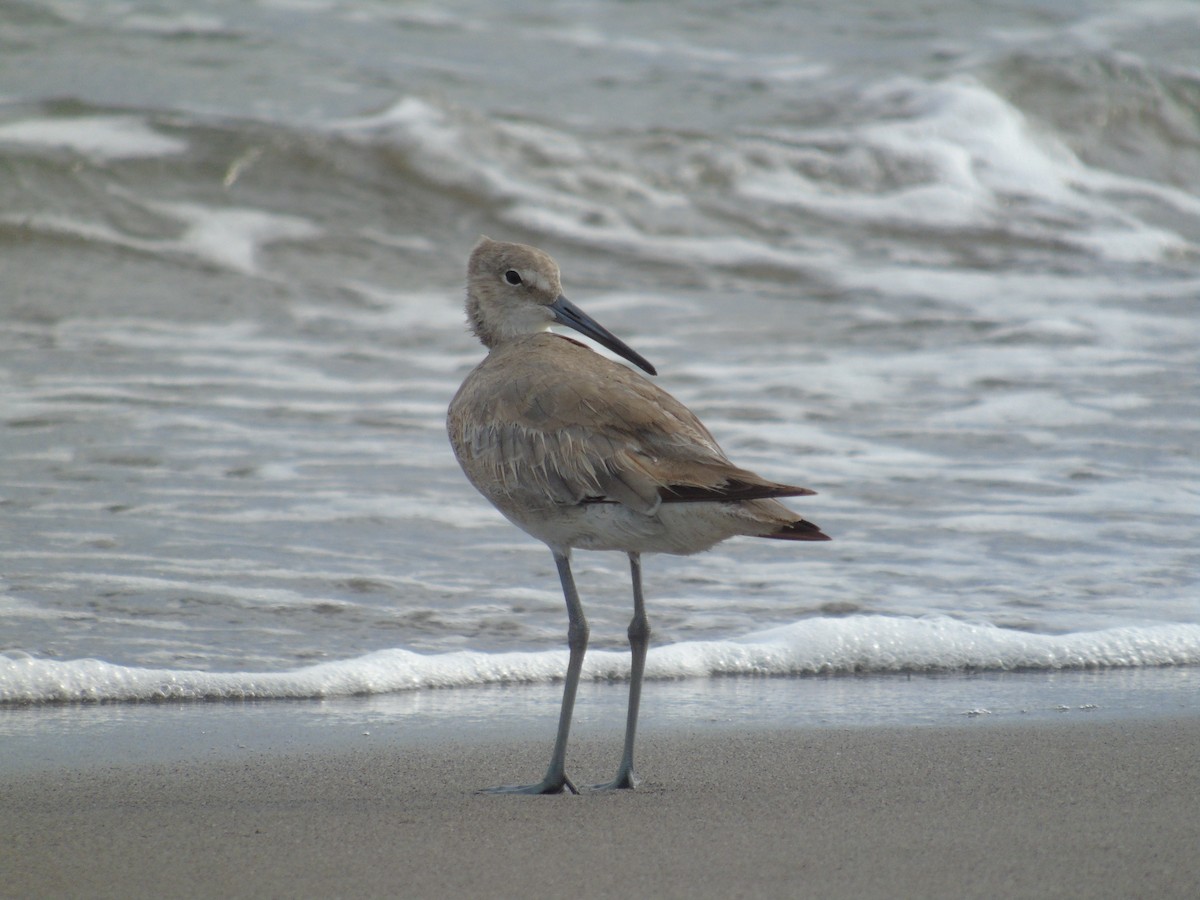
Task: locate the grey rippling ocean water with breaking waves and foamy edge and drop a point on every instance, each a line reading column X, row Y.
column 943, row 267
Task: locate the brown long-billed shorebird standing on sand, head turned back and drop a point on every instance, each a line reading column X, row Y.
column 584, row 453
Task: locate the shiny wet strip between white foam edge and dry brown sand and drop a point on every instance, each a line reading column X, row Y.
column 80, row 736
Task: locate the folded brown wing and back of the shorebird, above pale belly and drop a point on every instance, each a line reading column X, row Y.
column 569, row 427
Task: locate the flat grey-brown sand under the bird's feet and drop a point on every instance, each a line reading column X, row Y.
column 1099, row 809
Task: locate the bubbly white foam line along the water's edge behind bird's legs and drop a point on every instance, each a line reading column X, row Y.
column 827, row 646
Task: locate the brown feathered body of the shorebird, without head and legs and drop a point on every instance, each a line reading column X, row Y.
column 553, row 433
